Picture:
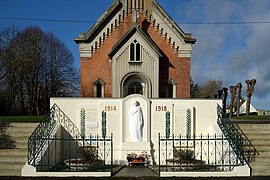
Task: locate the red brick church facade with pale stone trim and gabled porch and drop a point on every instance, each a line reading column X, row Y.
column 135, row 48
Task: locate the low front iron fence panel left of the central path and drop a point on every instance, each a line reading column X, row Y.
column 67, row 154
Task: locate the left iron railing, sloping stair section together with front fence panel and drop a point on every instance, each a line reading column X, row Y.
column 56, row 145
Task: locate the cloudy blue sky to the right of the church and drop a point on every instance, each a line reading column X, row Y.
column 232, row 53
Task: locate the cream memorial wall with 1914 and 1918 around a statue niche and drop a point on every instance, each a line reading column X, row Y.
column 136, row 121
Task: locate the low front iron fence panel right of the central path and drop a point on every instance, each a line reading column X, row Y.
column 195, row 154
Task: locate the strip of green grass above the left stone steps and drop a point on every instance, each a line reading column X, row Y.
column 22, row 119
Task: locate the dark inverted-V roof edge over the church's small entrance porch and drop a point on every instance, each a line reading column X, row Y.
column 127, row 36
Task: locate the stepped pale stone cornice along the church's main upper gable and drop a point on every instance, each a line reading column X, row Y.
column 118, row 13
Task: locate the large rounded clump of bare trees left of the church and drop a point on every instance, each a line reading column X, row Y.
column 39, row 66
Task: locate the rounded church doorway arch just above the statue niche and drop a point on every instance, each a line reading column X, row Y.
column 135, row 83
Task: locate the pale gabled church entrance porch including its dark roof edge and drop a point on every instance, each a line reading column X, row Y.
column 133, row 59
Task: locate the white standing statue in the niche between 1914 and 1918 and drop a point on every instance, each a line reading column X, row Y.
column 135, row 121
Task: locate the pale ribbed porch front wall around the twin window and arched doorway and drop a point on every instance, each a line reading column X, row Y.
column 148, row 67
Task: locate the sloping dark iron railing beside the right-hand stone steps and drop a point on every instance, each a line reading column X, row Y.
column 236, row 137
